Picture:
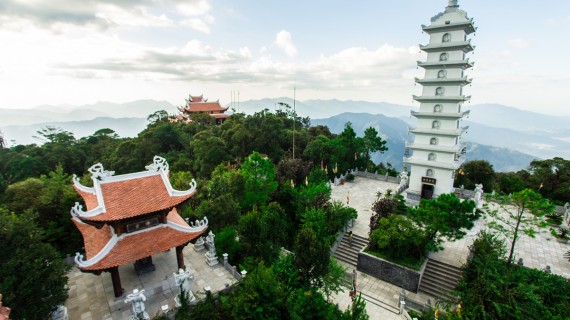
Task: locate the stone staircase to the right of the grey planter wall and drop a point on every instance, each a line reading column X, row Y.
column 439, row 279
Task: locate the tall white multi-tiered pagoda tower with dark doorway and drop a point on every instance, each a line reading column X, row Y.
column 437, row 148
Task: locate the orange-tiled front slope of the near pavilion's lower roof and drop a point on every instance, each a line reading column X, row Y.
column 146, row 243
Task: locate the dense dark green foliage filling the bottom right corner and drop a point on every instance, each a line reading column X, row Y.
column 490, row 290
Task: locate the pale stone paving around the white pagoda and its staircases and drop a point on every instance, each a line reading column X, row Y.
column 536, row 253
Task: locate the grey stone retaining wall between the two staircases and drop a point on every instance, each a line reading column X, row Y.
column 395, row 274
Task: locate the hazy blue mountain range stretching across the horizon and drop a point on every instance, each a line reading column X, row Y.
column 507, row 137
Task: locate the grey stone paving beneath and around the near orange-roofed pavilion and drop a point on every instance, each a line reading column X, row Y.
column 91, row 296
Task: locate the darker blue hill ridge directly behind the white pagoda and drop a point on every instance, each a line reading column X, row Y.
column 395, row 131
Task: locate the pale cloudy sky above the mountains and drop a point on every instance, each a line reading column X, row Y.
column 69, row 52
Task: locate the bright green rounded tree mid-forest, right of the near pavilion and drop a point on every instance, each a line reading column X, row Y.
column 259, row 176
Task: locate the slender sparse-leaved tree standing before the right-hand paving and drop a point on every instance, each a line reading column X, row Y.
column 519, row 212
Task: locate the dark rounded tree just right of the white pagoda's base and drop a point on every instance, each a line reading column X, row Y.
column 475, row 172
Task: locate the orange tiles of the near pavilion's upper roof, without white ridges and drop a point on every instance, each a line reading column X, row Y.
column 133, row 197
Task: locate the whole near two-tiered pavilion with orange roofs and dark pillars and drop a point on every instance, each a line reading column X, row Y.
column 129, row 218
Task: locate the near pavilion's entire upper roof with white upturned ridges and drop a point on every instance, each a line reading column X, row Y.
column 114, row 198
